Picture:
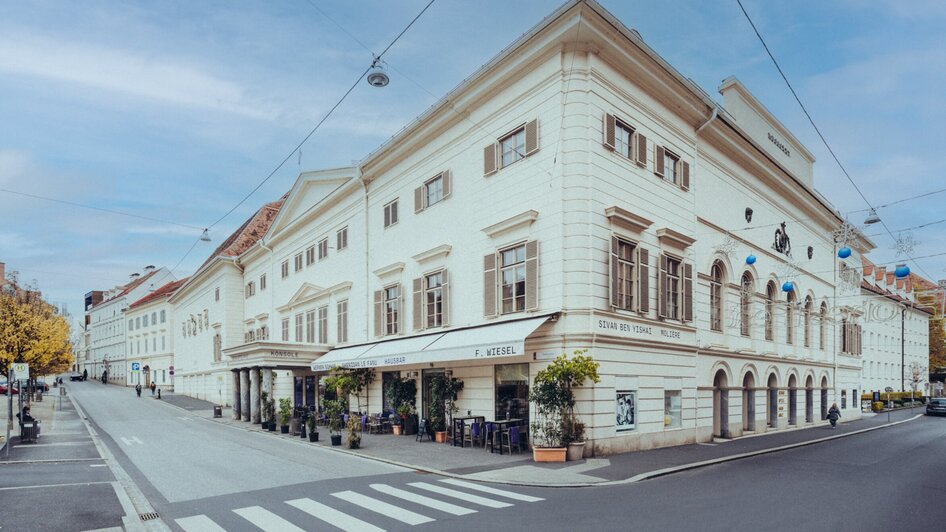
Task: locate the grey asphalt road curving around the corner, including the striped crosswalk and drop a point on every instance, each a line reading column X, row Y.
column 200, row 475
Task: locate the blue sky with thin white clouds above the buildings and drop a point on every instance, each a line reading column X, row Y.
column 174, row 111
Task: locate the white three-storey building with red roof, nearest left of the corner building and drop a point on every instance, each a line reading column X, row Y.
column 149, row 323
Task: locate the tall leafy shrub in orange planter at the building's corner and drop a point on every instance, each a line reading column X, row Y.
column 556, row 427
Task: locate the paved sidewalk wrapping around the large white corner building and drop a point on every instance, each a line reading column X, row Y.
column 519, row 469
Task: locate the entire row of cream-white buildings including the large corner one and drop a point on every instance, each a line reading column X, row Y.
column 576, row 192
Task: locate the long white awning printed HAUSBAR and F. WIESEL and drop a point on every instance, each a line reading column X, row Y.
column 474, row 343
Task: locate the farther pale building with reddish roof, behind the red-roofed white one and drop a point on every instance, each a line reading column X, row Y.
column 107, row 331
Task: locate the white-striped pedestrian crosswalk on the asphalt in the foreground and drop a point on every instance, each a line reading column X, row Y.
column 384, row 505
